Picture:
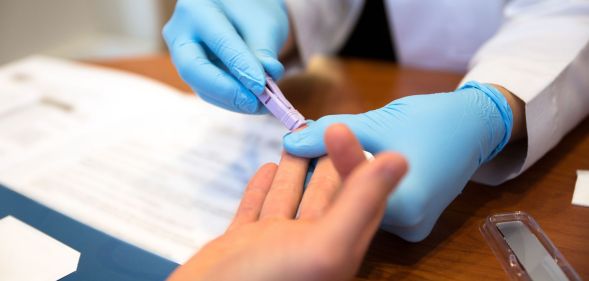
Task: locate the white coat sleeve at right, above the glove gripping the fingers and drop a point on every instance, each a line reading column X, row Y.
column 540, row 54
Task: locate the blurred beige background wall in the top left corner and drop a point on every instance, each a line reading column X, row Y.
column 82, row 29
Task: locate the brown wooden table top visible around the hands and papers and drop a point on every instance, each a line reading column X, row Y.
column 455, row 250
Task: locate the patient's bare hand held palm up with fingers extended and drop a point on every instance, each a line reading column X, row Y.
column 335, row 224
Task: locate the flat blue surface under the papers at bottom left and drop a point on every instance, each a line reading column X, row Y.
column 102, row 257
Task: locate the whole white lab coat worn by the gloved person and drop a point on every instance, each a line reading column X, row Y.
column 537, row 49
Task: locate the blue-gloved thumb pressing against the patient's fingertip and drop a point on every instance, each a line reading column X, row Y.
column 309, row 142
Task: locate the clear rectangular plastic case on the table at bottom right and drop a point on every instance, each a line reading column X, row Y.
column 524, row 250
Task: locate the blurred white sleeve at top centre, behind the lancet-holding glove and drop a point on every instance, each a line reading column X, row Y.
column 322, row 26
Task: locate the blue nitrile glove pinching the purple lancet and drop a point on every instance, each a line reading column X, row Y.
column 222, row 47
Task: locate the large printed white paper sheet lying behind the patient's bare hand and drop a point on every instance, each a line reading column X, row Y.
column 127, row 155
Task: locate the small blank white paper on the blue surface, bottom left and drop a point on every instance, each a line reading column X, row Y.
column 29, row 254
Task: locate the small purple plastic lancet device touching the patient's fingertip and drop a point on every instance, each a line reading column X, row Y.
column 277, row 104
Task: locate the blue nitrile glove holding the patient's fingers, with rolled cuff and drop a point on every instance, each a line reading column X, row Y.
column 445, row 138
